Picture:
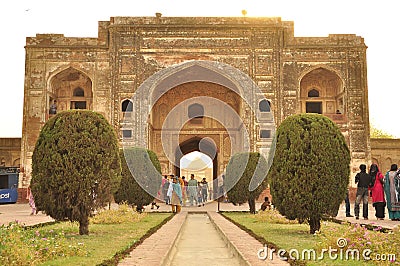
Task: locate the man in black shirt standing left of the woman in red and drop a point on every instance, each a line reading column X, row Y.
column 363, row 181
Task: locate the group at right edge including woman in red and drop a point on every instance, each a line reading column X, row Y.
column 384, row 190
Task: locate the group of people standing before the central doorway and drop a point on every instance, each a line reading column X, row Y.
column 177, row 190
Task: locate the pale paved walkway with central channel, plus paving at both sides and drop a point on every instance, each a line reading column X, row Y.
column 164, row 246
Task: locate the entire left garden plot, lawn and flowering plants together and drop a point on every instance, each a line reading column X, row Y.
column 59, row 243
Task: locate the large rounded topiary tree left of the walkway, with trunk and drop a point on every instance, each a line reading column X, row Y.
column 75, row 166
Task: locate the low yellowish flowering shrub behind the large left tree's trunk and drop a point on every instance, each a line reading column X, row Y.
column 123, row 214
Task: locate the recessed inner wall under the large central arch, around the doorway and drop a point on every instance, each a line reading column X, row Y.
column 193, row 123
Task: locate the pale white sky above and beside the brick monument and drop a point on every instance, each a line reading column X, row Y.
column 376, row 21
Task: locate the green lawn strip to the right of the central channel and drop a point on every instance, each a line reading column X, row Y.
column 289, row 237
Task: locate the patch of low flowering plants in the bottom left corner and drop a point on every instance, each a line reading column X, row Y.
column 22, row 246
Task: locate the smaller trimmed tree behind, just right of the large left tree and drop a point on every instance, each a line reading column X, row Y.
column 141, row 177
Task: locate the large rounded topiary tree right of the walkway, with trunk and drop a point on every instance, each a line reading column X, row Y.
column 310, row 170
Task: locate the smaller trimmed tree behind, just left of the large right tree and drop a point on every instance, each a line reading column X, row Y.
column 241, row 171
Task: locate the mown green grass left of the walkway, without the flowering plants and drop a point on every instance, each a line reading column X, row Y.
column 106, row 240
